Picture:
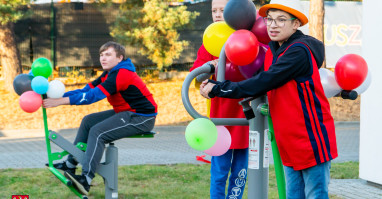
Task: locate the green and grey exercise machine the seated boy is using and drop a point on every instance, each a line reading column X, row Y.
column 108, row 169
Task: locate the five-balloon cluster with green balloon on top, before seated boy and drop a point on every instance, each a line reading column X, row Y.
column 31, row 86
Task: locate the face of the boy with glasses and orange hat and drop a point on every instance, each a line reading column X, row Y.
column 282, row 27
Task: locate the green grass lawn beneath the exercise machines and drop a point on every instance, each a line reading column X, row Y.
column 139, row 182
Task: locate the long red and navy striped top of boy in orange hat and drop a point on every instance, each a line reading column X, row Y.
column 303, row 125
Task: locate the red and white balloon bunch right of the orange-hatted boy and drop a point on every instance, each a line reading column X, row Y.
column 351, row 73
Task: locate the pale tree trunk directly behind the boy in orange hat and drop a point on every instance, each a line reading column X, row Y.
column 316, row 20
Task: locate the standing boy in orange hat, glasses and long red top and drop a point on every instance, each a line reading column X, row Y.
column 303, row 125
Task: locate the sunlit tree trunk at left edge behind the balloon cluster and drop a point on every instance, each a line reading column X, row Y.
column 9, row 57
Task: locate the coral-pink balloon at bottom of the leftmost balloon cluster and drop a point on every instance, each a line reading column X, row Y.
column 30, row 101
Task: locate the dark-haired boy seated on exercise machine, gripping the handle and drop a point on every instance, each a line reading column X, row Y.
column 134, row 111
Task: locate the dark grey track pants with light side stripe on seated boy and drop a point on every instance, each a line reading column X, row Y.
column 98, row 129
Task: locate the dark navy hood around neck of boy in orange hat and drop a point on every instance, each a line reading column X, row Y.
column 316, row 46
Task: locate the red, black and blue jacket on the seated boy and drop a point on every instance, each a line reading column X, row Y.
column 122, row 87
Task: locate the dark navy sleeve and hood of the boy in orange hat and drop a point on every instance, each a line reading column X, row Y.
column 292, row 65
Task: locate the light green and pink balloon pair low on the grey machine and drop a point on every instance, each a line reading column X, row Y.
column 202, row 134
